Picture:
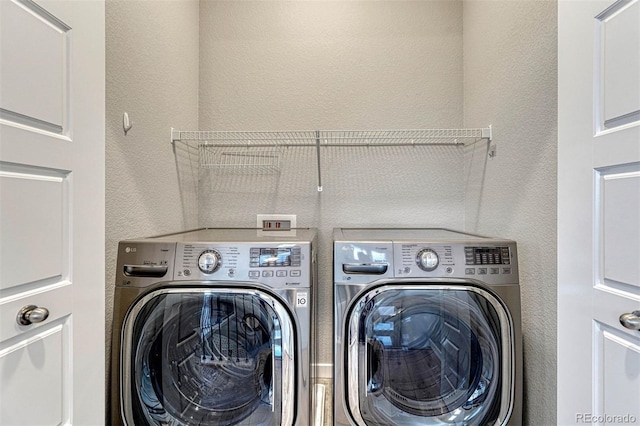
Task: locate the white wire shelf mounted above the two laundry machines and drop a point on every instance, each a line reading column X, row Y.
column 260, row 149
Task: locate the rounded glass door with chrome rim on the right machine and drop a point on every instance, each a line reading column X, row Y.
column 428, row 355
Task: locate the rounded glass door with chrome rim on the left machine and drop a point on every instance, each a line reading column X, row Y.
column 208, row 356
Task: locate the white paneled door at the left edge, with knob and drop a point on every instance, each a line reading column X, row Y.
column 52, row 98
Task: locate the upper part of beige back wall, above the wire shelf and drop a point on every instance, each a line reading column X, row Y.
column 287, row 65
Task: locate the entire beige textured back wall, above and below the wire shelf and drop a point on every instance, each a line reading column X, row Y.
column 283, row 65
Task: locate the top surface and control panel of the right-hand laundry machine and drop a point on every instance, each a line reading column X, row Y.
column 366, row 255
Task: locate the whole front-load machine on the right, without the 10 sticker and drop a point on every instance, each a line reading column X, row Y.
column 427, row 326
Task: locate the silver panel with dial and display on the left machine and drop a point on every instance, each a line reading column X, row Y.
column 275, row 265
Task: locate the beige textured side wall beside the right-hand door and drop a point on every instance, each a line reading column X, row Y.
column 510, row 81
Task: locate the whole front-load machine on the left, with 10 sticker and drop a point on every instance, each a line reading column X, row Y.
column 214, row 327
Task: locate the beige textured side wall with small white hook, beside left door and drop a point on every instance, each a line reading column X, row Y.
column 152, row 73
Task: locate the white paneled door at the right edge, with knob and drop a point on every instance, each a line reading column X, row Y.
column 599, row 212
